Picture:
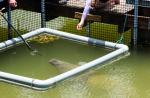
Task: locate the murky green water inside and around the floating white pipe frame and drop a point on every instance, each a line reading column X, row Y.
column 126, row 78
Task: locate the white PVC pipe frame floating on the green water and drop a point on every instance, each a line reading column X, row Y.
column 45, row 84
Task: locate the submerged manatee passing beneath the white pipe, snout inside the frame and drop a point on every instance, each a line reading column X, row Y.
column 91, row 78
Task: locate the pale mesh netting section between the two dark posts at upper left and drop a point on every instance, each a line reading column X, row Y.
column 25, row 21
